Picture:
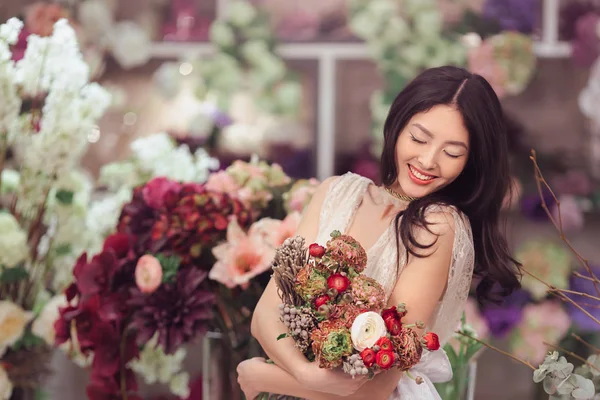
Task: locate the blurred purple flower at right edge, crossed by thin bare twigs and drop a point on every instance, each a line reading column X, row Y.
column 580, row 319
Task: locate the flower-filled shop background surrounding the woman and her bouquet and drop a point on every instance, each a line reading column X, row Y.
column 189, row 135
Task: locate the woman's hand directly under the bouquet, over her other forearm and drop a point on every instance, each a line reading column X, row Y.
column 330, row 381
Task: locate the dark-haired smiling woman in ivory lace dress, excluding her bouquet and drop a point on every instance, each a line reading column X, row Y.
column 432, row 225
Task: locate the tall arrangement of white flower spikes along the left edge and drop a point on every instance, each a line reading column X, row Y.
column 49, row 107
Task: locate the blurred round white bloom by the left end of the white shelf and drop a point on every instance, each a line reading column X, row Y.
column 130, row 44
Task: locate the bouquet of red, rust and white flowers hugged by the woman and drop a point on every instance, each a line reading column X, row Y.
column 337, row 316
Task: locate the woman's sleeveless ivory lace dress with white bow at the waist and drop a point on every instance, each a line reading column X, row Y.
column 349, row 190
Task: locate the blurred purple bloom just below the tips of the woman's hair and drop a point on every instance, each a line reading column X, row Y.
column 502, row 319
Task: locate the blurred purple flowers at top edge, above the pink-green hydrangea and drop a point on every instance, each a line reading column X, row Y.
column 513, row 15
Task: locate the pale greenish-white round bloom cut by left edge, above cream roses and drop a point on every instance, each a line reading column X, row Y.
column 13, row 242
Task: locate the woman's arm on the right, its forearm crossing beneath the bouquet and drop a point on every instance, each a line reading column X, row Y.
column 421, row 284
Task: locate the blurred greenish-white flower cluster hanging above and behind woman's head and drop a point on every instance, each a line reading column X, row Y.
column 403, row 41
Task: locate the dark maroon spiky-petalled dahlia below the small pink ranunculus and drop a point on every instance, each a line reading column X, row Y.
column 178, row 312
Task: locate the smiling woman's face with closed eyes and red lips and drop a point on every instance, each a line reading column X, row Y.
column 431, row 151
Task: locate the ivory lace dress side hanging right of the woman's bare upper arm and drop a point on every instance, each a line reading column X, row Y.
column 450, row 309
